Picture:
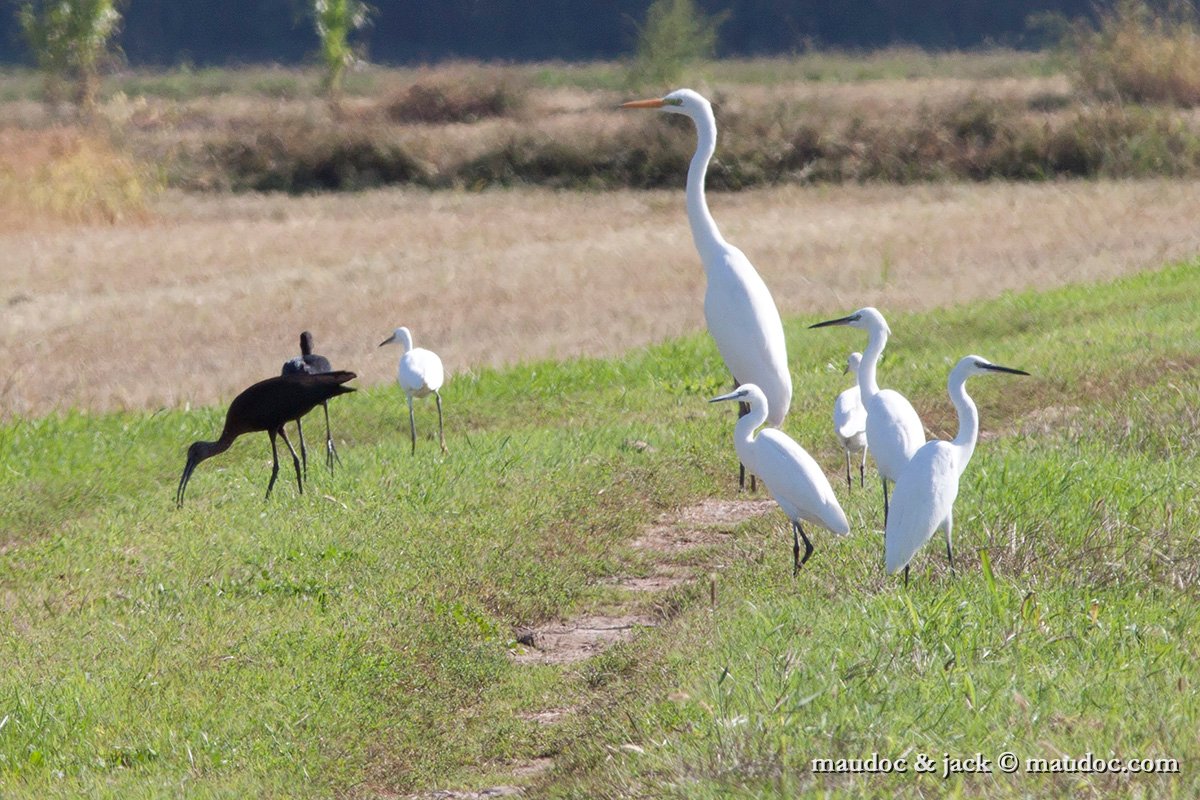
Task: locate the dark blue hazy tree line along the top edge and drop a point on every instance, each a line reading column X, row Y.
column 169, row 33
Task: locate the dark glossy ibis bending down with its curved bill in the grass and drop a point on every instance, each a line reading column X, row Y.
column 268, row 406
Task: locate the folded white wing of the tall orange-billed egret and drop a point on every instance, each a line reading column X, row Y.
column 745, row 322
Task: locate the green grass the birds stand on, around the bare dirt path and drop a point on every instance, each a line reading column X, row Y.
column 355, row 640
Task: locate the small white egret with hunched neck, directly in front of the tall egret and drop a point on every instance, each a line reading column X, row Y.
column 793, row 477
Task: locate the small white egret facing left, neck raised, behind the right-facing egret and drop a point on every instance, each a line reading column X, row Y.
column 893, row 428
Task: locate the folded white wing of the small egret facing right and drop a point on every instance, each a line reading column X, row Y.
column 921, row 504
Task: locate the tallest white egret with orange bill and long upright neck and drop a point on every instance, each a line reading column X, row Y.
column 741, row 314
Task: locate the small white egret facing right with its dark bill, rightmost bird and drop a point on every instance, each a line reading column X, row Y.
column 925, row 497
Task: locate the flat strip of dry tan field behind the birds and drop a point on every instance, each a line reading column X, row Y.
column 201, row 296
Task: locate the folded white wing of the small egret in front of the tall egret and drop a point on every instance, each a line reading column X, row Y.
column 797, row 483
